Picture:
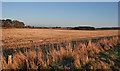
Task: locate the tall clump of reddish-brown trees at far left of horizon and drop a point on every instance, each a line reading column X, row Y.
column 8, row 23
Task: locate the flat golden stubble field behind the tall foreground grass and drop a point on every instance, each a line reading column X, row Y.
column 12, row 38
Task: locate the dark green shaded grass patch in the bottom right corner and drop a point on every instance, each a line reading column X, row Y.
column 109, row 58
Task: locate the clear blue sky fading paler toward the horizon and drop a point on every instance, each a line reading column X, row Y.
column 63, row 14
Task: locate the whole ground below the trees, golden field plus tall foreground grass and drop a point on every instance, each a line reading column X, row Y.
column 60, row 49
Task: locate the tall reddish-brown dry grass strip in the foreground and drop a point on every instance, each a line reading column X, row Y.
column 82, row 56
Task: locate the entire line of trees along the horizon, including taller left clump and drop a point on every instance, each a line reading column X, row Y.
column 8, row 23
